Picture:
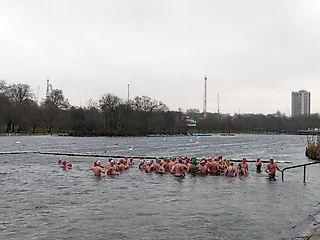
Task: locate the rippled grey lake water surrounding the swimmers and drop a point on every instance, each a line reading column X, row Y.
column 41, row 201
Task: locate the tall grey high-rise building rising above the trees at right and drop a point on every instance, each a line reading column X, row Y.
column 300, row 103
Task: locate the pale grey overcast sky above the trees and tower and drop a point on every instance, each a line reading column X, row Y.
column 254, row 53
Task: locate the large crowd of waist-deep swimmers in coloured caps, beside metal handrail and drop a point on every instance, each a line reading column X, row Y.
column 179, row 166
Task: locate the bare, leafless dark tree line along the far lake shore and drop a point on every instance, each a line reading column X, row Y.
column 110, row 115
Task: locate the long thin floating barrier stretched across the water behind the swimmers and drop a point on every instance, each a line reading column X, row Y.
column 116, row 156
